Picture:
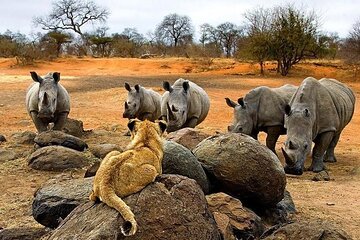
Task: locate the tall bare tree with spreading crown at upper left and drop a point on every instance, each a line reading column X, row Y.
column 72, row 15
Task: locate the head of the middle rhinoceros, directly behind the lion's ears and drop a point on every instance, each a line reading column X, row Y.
column 177, row 108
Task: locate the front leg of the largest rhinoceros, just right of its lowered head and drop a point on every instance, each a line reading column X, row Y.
column 322, row 142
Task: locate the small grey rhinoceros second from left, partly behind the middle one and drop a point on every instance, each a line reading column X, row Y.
column 142, row 103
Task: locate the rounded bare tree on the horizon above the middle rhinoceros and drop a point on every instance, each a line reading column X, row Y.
column 175, row 30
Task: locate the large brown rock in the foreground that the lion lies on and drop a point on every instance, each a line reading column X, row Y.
column 173, row 207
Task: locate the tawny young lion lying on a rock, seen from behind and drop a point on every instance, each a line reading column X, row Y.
column 122, row 174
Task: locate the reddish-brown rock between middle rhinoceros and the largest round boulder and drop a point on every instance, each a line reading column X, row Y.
column 188, row 137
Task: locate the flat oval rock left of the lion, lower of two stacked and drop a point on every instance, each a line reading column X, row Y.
column 57, row 158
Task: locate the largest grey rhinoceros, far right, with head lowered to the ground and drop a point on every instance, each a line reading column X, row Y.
column 318, row 112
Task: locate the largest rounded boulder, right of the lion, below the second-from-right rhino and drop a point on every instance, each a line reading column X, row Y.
column 240, row 166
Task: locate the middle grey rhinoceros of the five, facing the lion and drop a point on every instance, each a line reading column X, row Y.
column 184, row 104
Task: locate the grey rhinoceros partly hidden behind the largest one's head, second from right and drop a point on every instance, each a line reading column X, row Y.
column 262, row 109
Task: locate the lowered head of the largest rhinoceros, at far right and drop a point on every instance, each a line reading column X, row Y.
column 298, row 121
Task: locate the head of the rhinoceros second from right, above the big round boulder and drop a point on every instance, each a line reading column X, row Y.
column 242, row 122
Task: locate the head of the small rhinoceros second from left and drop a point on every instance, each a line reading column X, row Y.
column 132, row 103
